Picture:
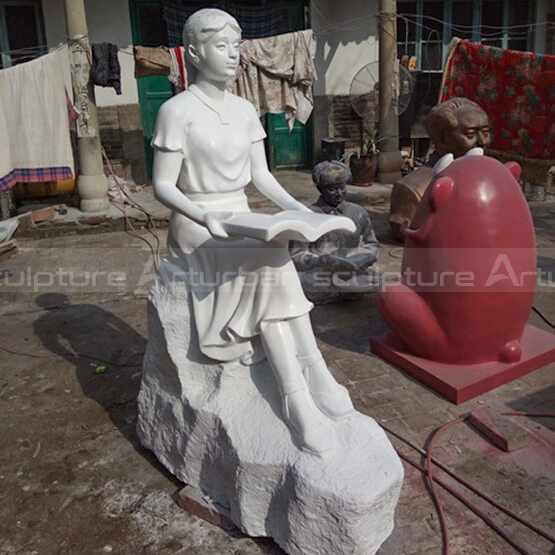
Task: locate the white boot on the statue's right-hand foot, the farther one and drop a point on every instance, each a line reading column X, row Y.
column 330, row 397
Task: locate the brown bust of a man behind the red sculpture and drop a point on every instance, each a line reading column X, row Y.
column 455, row 126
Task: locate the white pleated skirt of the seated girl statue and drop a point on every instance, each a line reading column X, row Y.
column 235, row 284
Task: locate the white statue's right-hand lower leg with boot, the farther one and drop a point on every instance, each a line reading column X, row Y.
column 330, row 397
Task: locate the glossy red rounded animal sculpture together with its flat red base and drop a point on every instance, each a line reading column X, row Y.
column 468, row 277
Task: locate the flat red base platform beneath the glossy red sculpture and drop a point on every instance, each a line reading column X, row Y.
column 460, row 382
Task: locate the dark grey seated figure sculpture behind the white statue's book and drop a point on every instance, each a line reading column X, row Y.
column 337, row 267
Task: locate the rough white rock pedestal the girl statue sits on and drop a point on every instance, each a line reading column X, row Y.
column 218, row 427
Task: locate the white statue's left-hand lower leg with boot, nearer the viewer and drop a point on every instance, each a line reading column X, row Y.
column 299, row 412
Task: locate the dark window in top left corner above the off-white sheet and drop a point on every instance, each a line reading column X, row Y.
column 21, row 31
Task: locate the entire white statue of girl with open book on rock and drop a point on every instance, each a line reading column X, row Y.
column 236, row 398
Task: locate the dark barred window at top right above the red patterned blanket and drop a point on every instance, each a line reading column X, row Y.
column 425, row 27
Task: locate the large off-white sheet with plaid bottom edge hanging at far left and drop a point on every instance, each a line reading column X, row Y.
column 35, row 142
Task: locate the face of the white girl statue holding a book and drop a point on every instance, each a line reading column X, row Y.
column 218, row 57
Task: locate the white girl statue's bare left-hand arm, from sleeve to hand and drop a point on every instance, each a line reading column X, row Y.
column 165, row 172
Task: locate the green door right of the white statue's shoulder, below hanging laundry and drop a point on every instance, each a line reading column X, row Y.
column 287, row 149
